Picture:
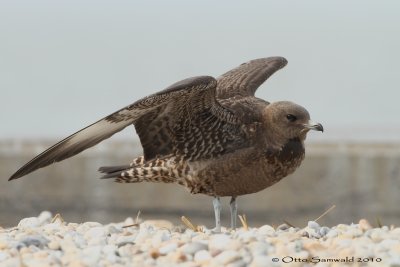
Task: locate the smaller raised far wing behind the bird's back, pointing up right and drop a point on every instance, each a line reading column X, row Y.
column 246, row 78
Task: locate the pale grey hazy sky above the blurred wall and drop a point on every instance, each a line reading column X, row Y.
column 65, row 64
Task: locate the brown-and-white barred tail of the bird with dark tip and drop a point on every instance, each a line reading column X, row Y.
column 157, row 170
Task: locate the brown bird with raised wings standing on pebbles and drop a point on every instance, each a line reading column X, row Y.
column 212, row 136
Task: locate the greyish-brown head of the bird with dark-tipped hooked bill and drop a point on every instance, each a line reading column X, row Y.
column 286, row 120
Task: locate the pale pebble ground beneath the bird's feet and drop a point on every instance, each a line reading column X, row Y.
column 47, row 241
